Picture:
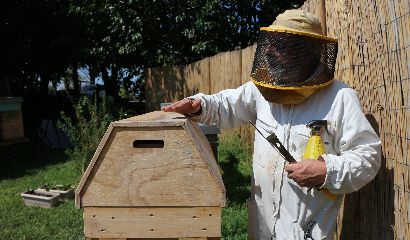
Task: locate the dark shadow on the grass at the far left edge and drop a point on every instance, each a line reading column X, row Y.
column 20, row 159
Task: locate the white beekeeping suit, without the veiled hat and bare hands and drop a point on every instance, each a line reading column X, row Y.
column 278, row 207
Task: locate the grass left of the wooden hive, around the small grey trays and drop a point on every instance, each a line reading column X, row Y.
column 21, row 169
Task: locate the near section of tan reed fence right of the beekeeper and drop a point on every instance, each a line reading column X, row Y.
column 374, row 58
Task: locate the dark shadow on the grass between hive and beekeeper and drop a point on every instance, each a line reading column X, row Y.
column 237, row 184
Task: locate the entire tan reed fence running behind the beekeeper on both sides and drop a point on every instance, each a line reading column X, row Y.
column 374, row 58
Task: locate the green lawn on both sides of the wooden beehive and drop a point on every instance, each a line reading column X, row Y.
column 22, row 167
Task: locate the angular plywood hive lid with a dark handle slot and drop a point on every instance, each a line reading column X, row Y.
column 180, row 171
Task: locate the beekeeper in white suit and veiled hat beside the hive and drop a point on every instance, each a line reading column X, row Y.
column 291, row 84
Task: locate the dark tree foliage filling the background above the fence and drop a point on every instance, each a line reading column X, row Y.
column 118, row 39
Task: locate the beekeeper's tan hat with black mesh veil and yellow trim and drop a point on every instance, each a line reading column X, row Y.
column 293, row 54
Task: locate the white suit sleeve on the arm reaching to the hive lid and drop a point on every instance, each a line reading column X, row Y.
column 229, row 108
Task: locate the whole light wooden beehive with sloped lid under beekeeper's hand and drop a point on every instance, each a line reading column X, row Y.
column 152, row 176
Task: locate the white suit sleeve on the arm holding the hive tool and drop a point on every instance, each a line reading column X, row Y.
column 358, row 145
